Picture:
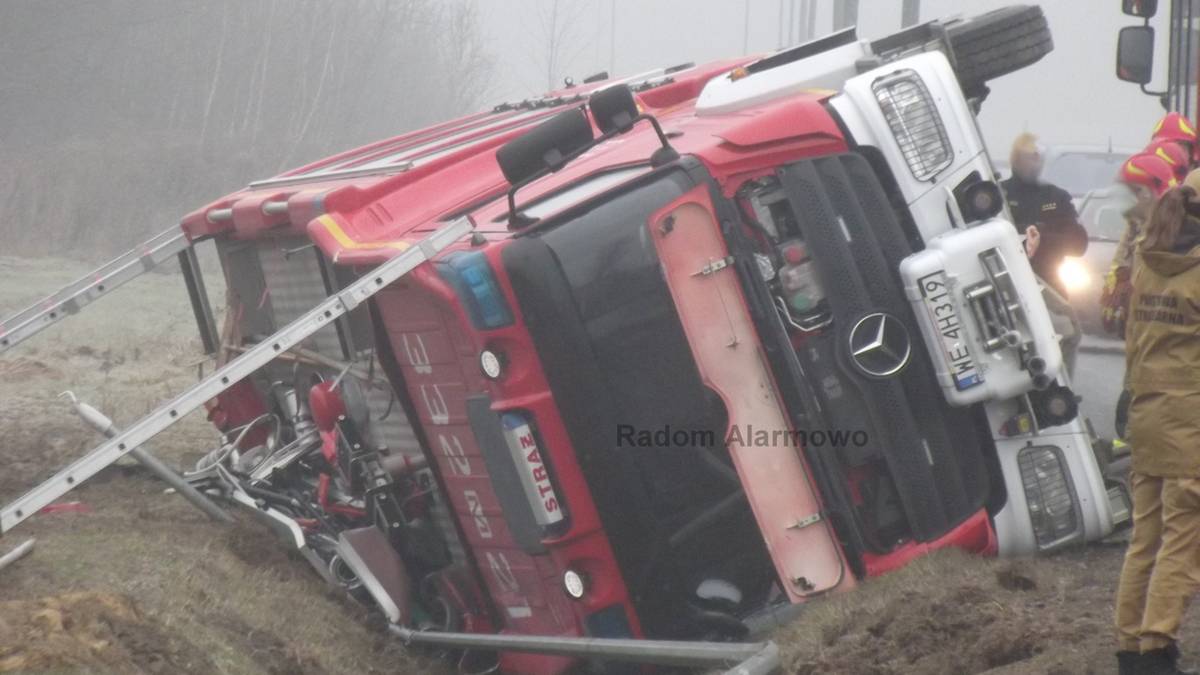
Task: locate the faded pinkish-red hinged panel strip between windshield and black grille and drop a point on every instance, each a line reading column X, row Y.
column 725, row 344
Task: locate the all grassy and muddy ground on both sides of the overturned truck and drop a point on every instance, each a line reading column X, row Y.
column 139, row 582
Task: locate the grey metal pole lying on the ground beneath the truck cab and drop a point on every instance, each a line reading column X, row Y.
column 741, row 659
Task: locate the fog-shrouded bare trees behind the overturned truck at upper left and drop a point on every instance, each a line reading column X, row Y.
column 117, row 117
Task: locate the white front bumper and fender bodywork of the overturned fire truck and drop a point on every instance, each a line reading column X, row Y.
column 955, row 248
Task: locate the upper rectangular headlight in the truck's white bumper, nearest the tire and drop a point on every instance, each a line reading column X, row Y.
column 915, row 123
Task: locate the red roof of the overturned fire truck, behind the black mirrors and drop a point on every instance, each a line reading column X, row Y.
column 364, row 206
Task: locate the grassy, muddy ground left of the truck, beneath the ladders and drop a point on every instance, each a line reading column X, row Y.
column 142, row 582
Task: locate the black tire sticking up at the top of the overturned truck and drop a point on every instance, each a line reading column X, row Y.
column 998, row 44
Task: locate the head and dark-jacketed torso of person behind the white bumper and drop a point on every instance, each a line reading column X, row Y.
column 1045, row 207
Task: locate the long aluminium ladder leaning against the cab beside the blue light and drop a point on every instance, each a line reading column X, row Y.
column 238, row 369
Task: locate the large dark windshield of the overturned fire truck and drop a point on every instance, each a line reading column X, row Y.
column 647, row 432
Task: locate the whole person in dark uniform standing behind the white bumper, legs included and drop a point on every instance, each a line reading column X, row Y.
column 1043, row 213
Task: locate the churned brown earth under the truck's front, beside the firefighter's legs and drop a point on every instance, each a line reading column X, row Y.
column 959, row 614
